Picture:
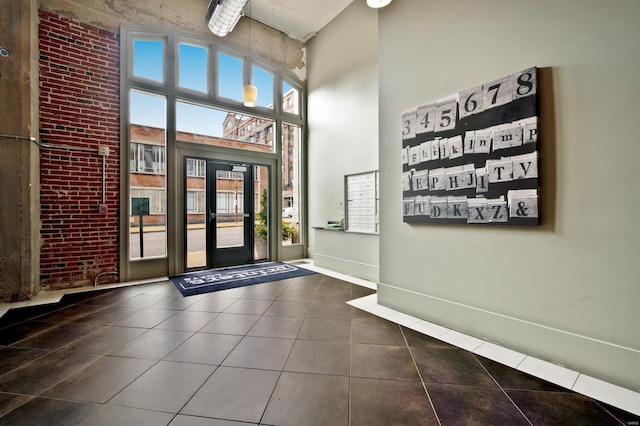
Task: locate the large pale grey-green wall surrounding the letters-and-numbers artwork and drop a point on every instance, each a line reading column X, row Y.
column 569, row 290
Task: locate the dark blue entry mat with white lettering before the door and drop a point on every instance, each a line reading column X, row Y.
column 226, row 278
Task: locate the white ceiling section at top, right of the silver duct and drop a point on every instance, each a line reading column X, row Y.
column 300, row 19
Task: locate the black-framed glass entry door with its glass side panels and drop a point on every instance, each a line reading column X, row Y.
column 229, row 227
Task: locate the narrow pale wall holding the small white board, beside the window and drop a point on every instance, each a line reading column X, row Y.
column 342, row 82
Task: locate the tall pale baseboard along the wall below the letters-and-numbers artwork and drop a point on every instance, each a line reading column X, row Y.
column 603, row 360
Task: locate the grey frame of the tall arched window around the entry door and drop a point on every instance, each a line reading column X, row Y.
column 170, row 88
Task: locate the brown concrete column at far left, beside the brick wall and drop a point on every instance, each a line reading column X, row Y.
column 19, row 158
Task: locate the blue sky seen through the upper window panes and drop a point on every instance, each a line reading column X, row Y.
column 147, row 109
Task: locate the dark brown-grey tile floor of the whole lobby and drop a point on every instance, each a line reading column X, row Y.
column 283, row 353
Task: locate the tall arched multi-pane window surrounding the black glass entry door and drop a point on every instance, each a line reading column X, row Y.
column 188, row 90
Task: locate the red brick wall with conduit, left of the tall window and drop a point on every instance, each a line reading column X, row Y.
column 79, row 107
